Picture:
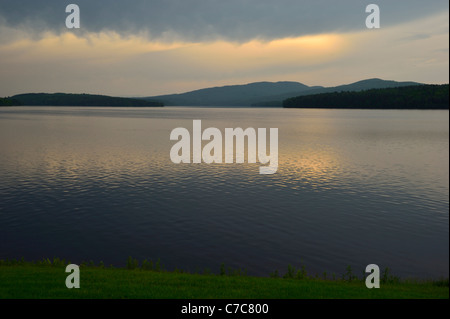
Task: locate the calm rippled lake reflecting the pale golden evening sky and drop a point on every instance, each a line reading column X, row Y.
column 353, row 187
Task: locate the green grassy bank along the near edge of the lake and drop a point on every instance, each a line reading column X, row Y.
column 43, row 280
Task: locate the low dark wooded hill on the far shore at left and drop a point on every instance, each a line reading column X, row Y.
column 63, row 99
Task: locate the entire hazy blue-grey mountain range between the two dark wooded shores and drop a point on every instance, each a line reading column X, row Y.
column 265, row 93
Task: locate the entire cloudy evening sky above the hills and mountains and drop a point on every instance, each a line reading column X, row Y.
column 154, row 47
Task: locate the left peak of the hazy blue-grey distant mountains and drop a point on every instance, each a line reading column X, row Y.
column 233, row 95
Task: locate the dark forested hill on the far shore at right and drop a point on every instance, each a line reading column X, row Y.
column 408, row 97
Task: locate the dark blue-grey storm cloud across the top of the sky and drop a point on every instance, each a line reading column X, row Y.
column 194, row 20
